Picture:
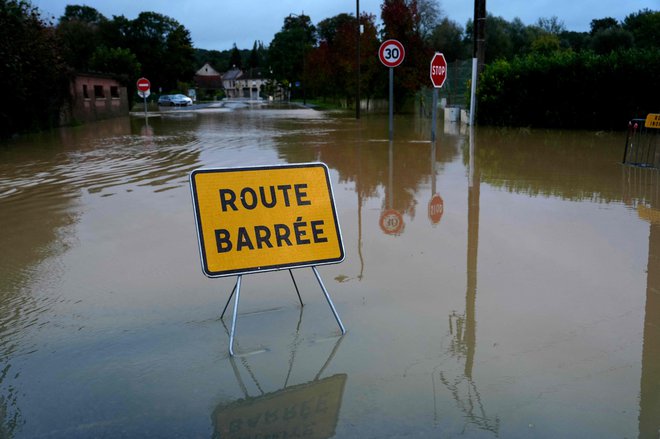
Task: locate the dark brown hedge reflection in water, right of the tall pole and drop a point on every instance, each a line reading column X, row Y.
column 569, row 165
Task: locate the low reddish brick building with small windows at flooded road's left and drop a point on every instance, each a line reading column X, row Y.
column 94, row 97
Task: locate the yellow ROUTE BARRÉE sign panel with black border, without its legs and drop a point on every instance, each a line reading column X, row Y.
column 265, row 218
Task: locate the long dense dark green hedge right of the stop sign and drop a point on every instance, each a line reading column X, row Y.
column 570, row 90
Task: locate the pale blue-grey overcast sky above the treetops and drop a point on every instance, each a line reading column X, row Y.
column 218, row 24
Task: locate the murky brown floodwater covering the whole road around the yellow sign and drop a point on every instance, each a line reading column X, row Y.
column 527, row 304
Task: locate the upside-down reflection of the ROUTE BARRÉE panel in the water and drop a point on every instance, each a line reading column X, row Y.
column 306, row 410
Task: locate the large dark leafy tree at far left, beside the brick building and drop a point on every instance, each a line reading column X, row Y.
column 32, row 67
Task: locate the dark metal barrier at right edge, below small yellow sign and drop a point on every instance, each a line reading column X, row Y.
column 642, row 147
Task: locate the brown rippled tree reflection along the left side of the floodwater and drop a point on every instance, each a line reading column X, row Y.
column 43, row 177
